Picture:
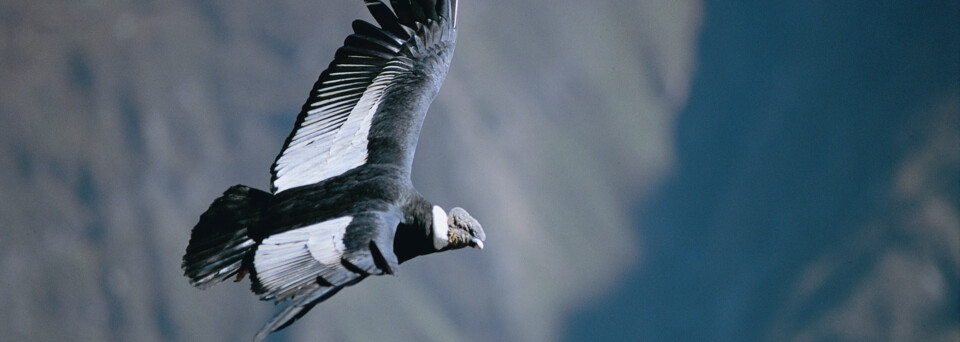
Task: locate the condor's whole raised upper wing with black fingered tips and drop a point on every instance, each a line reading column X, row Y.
column 369, row 105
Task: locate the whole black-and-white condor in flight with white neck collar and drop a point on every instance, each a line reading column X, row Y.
column 342, row 206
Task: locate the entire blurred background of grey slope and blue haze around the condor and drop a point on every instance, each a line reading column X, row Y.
column 645, row 170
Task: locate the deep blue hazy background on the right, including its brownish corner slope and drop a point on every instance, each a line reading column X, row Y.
column 799, row 149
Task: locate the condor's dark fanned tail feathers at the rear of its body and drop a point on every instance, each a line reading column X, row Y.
column 219, row 241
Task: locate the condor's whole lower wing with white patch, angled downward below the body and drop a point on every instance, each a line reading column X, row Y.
column 307, row 265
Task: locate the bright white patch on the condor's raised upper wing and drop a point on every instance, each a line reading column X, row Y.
column 325, row 149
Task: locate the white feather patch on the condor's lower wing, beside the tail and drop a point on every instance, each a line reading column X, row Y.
column 289, row 263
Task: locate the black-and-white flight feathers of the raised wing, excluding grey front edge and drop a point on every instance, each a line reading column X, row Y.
column 331, row 134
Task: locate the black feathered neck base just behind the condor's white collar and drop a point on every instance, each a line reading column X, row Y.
column 413, row 237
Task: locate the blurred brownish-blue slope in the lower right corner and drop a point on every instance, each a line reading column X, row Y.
column 898, row 278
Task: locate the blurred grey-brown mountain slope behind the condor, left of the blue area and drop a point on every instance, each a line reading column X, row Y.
column 122, row 120
